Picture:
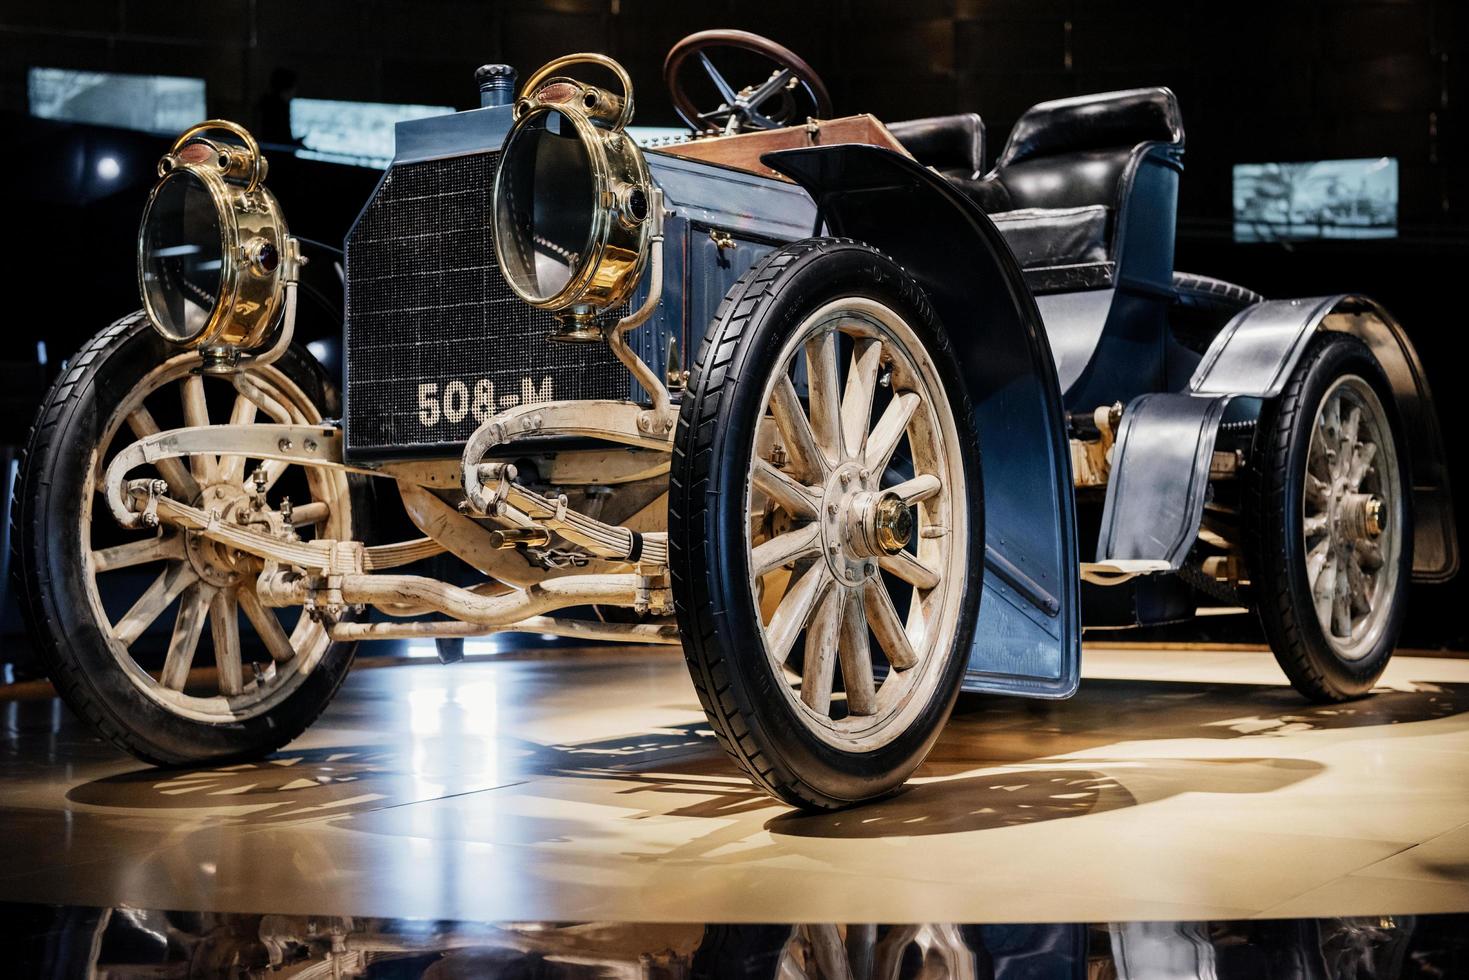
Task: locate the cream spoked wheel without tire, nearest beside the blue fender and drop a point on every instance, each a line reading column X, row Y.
column 840, row 541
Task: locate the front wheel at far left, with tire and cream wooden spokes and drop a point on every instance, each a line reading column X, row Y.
column 130, row 624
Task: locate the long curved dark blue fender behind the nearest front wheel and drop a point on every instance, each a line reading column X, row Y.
column 1029, row 637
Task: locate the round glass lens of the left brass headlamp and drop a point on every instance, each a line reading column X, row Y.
column 183, row 256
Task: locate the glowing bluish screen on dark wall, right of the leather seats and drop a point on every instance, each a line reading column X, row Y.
column 1326, row 199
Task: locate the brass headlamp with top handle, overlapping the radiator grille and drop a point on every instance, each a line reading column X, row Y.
column 574, row 198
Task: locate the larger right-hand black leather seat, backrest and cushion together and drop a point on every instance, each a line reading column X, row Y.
column 1060, row 192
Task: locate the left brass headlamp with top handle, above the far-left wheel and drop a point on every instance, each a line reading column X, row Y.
column 214, row 251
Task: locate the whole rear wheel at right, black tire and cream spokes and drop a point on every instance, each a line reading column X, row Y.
column 1333, row 537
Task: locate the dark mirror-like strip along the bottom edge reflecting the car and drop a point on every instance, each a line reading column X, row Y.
column 129, row 943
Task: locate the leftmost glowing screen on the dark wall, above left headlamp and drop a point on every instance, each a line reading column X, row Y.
column 154, row 104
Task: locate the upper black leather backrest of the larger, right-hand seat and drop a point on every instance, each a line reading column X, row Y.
column 1076, row 152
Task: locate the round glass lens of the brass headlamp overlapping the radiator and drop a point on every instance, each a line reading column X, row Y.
column 546, row 203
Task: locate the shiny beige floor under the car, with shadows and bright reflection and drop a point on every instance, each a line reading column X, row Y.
column 1177, row 785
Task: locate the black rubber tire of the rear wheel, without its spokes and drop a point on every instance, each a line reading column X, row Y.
column 1273, row 512
